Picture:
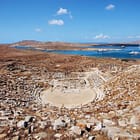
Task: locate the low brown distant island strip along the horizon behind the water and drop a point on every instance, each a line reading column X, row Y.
column 68, row 45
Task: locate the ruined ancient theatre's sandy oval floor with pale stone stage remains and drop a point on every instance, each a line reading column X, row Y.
column 75, row 89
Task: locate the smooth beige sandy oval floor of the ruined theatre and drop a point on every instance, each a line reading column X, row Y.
column 68, row 100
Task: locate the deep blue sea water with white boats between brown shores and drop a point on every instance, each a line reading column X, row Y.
column 131, row 52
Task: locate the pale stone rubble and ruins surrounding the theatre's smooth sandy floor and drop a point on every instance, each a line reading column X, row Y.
column 114, row 114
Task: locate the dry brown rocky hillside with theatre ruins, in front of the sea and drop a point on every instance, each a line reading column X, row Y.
column 31, row 108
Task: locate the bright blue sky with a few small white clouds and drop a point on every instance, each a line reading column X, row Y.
column 69, row 20
